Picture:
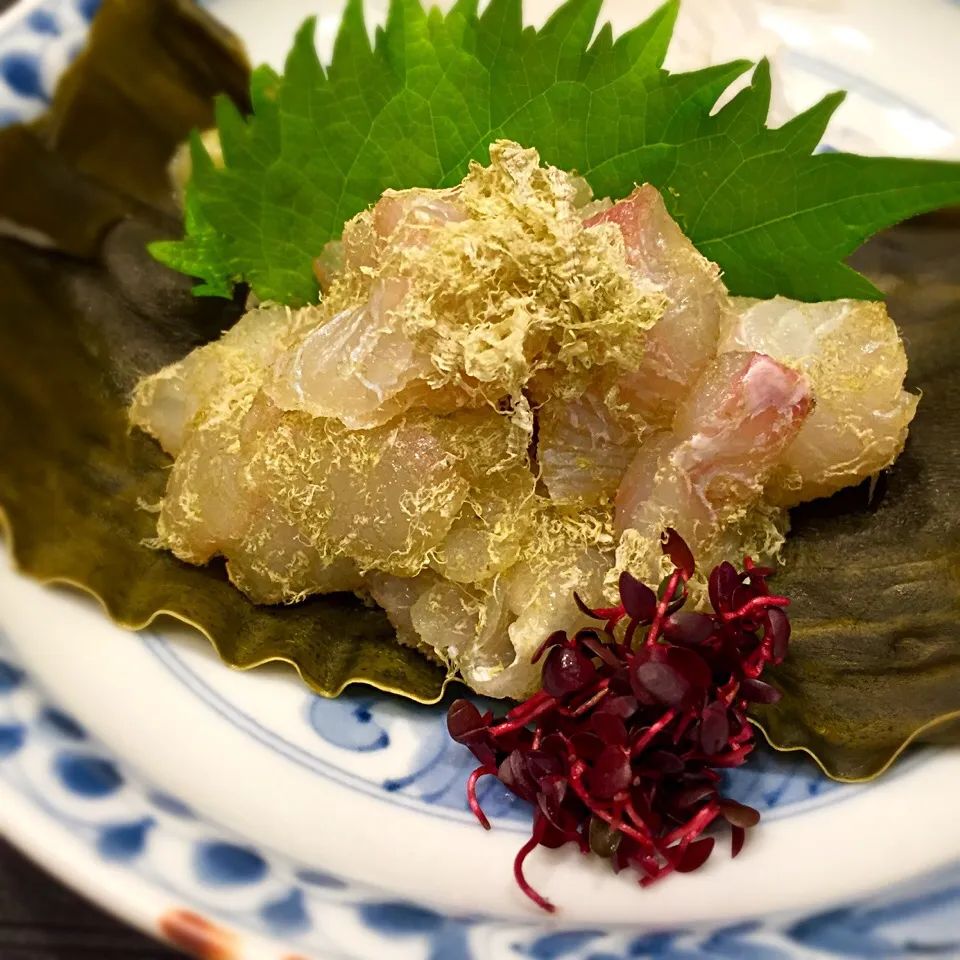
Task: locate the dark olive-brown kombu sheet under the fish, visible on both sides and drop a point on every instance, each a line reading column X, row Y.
column 875, row 659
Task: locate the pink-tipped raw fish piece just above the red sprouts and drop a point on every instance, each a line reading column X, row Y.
column 709, row 471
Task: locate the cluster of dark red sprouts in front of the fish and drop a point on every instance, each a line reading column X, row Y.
column 619, row 751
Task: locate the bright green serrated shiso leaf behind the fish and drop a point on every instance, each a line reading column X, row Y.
column 435, row 90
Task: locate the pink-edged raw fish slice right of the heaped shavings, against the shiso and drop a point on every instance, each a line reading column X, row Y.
column 684, row 340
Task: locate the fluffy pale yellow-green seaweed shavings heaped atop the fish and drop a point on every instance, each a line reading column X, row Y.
column 519, row 285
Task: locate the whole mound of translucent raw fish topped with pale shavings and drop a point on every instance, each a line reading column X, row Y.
column 508, row 390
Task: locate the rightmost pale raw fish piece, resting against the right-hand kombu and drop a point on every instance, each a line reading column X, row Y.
column 852, row 355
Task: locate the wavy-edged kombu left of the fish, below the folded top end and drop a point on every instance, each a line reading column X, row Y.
column 75, row 482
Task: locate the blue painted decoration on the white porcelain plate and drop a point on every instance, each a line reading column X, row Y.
column 272, row 906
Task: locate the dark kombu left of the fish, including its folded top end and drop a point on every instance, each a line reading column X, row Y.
column 86, row 312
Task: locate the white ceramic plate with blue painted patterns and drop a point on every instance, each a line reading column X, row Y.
column 243, row 818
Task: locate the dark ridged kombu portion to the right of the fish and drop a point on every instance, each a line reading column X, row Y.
column 874, row 574
